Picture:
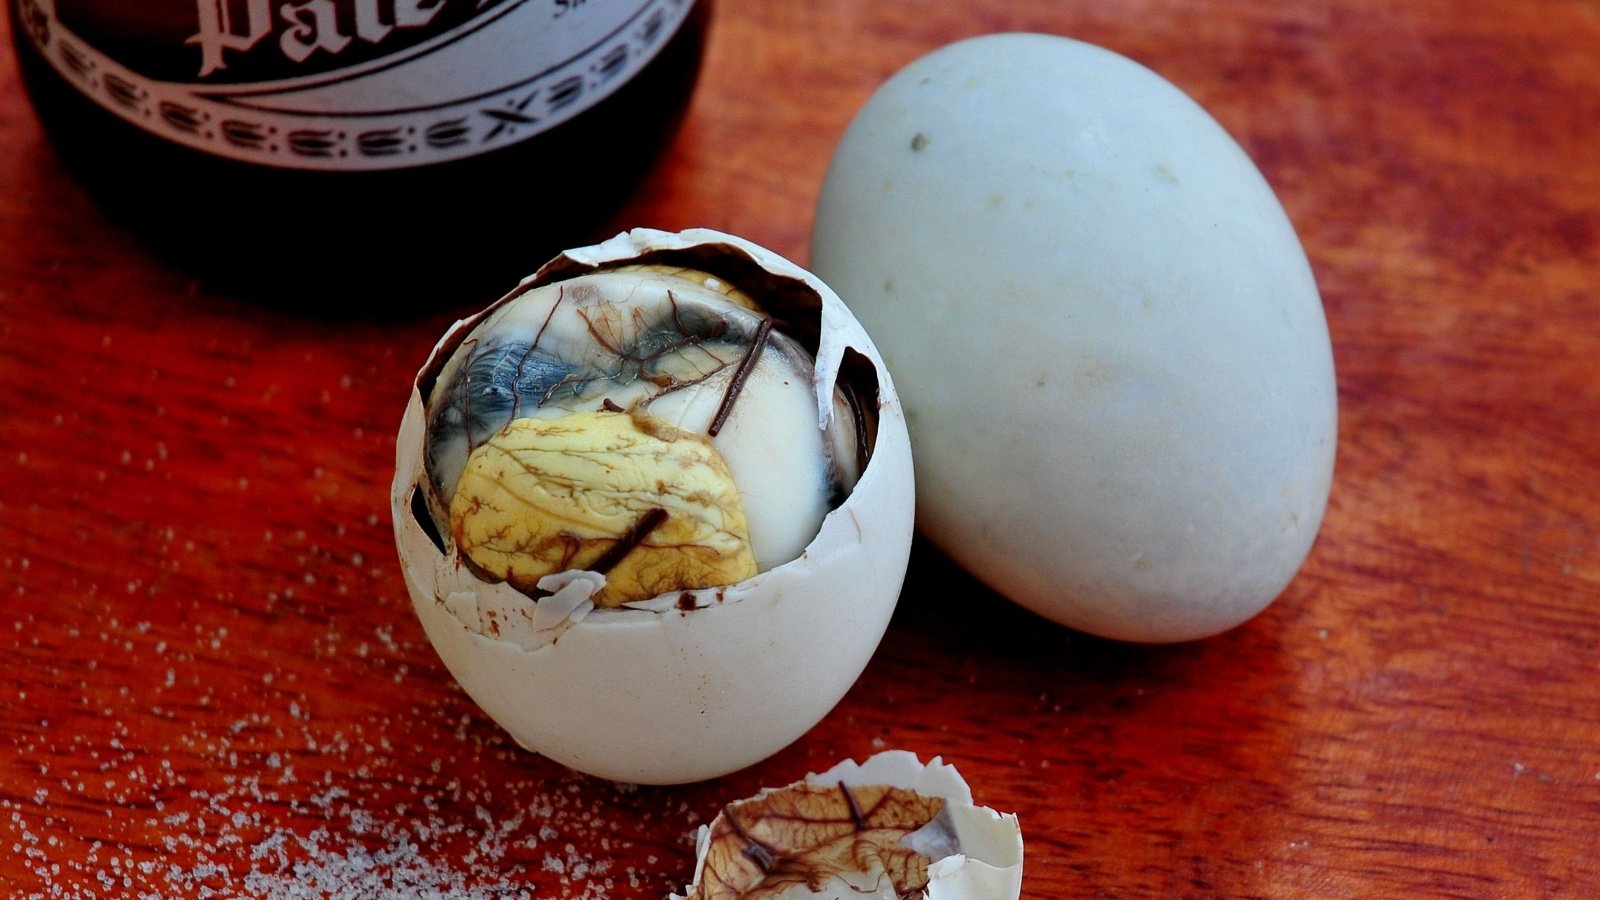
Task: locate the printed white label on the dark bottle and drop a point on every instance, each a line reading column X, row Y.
column 350, row 84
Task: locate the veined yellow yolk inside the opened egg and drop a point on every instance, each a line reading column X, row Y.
column 652, row 507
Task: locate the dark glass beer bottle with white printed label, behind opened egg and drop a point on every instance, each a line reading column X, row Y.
column 361, row 155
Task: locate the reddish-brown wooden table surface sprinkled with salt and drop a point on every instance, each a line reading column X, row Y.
column 212, row 681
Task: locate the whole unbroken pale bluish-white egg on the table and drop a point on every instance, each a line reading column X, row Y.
column 1108, row 337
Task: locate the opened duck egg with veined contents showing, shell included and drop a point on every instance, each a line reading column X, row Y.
column 655, row 505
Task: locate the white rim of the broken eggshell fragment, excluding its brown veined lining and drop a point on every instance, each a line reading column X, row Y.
column 990, row 864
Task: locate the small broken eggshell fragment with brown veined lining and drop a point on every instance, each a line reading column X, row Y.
column 887, row 829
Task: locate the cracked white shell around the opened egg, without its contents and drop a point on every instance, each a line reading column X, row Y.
column 666, row 694
